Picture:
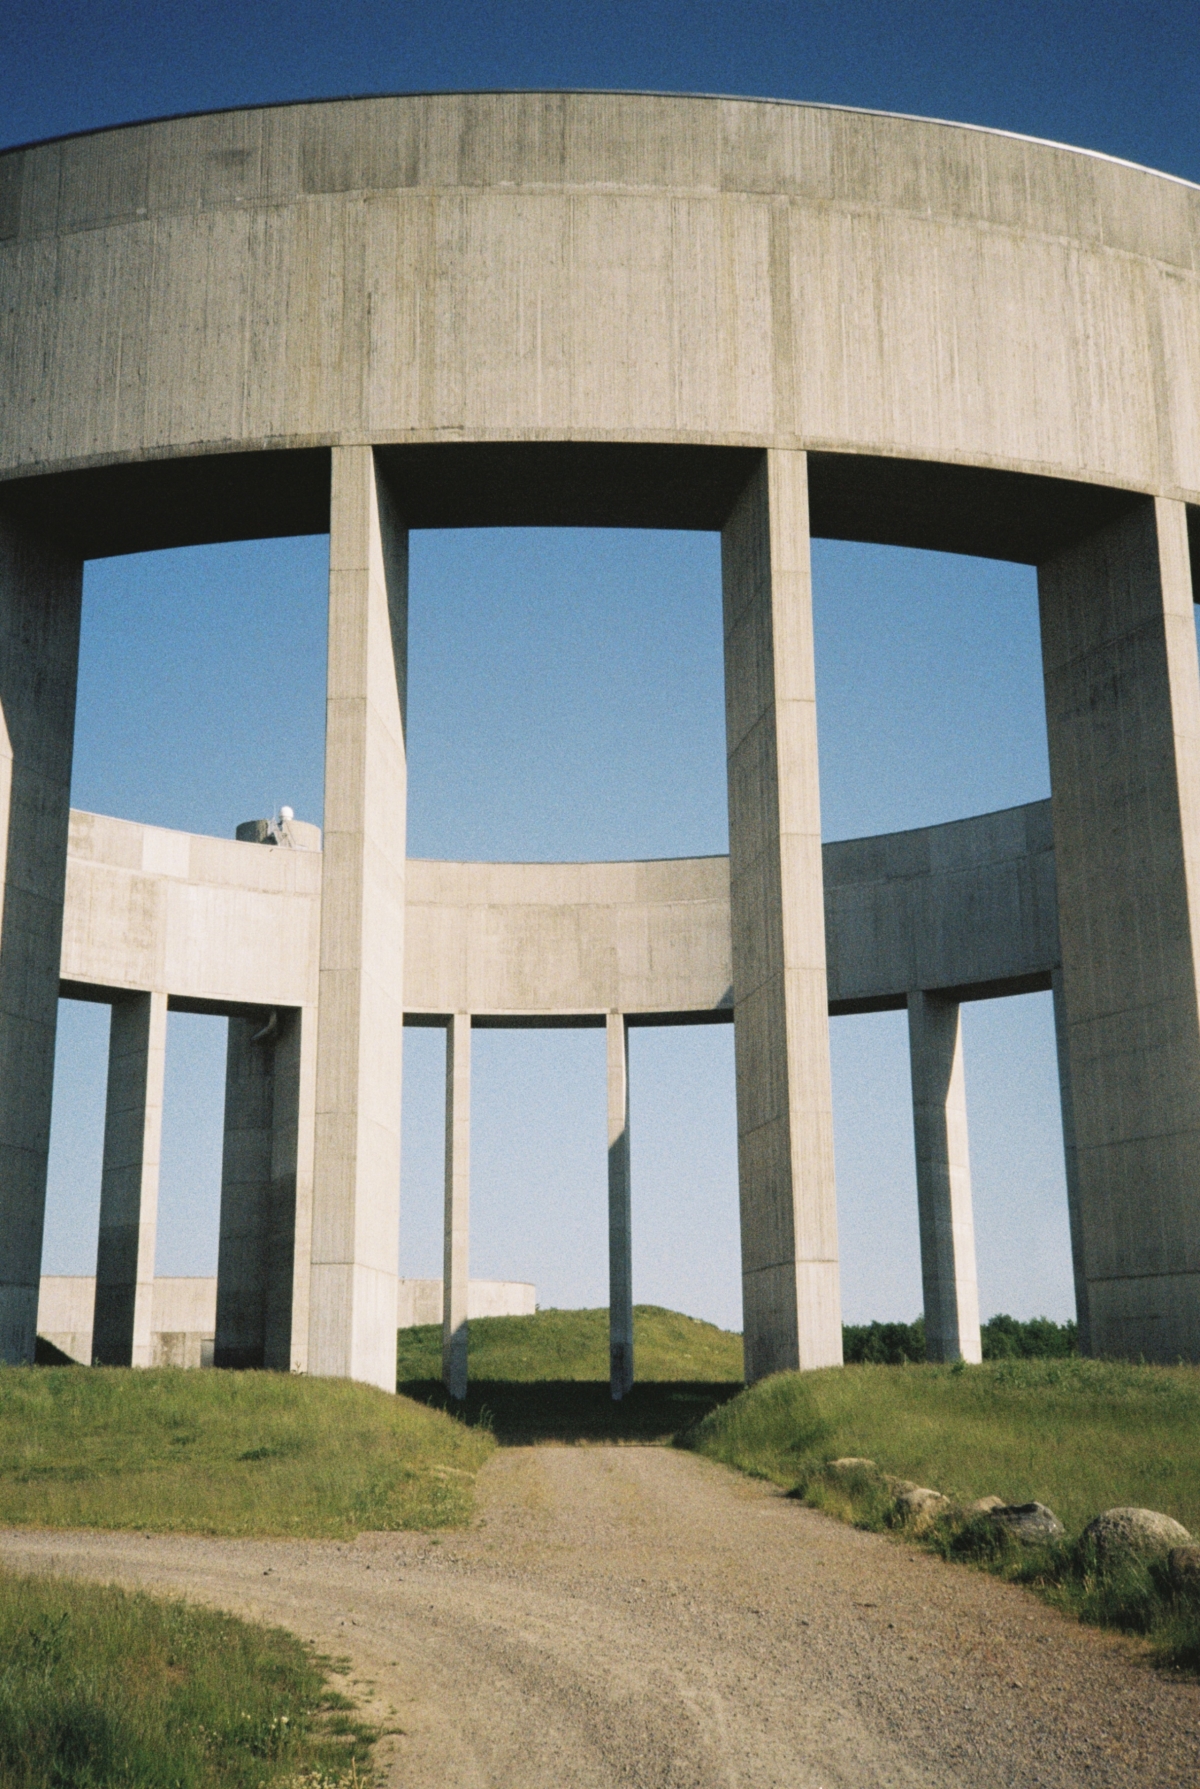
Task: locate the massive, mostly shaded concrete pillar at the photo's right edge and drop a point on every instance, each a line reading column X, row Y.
column 1124, row 731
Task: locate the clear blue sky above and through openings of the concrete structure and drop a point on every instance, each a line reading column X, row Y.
column 566, row 690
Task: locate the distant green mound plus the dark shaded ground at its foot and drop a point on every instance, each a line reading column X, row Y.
column 546, row 1377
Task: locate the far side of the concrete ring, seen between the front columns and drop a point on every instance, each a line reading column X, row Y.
column 232, row 928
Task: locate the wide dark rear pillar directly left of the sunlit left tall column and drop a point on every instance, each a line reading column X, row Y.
column 258, row 1200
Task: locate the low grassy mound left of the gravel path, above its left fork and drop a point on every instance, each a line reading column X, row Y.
column 226, row 1454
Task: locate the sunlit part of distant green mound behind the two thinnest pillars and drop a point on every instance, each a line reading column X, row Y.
column 575, row 1346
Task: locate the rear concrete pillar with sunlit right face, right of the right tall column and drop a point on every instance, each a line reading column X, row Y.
column 940, row 1133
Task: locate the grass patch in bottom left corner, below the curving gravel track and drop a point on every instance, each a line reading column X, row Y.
column 101, row 1690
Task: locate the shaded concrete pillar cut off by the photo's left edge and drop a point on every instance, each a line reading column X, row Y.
column 40, row 602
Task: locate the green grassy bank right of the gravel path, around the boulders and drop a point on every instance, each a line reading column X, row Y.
column 1079, row 1436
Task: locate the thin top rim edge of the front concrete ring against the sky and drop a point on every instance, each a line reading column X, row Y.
column 645, row 94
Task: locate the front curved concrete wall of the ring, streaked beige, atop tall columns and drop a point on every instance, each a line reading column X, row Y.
column 582, row 266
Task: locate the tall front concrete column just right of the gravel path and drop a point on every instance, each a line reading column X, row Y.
column 781, row 1008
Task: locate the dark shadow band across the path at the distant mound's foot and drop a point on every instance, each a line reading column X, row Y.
column 577, row 1411
